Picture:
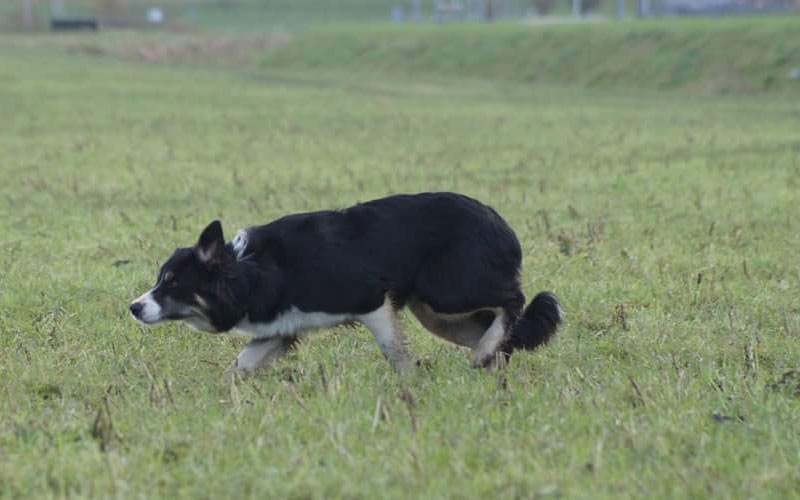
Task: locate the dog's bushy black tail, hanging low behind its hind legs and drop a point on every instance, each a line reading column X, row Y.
column 537, row 325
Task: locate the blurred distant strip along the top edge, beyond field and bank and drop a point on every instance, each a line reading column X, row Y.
column 269, row 14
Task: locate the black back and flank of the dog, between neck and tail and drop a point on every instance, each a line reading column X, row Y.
column 426, row 244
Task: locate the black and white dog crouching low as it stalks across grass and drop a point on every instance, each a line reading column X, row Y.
column 452, row 260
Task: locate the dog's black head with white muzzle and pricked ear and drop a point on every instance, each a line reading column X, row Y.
column 200, row 285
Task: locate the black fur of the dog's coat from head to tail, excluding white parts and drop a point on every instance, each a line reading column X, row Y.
column 443, row 249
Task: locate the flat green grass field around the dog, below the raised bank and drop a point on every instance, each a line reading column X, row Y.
column 666, row 223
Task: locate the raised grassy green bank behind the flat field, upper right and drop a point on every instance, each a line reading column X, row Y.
column 730, row 55
